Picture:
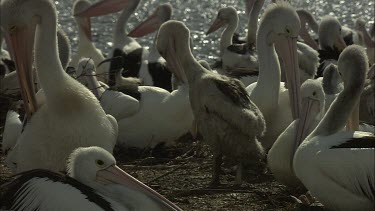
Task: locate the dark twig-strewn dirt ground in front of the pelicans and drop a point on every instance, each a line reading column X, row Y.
column 182, row 173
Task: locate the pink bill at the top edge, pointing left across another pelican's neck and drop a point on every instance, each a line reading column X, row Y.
column 105, row 7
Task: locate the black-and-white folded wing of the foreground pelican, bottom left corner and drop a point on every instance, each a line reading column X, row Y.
column 45, row 190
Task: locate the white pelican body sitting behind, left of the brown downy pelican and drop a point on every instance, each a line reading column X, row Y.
column 156, row 106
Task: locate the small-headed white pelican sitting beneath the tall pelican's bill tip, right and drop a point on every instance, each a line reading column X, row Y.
column 280, row 156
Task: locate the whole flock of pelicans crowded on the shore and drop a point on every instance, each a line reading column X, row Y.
column 297, row 100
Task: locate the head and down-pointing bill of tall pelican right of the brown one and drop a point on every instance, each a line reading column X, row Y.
column 280, row 26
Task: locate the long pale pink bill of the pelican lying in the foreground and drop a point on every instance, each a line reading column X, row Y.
column 114, row 174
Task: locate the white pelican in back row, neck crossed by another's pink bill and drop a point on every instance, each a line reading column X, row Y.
column 86, row 47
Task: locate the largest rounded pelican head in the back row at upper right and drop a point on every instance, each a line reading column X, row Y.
column 330, row 33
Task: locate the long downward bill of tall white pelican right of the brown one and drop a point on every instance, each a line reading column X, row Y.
column 287, row 49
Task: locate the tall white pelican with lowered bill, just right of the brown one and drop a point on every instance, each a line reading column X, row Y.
column 279, row 27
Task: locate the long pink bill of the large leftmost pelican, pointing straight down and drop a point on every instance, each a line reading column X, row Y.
column 21, row 43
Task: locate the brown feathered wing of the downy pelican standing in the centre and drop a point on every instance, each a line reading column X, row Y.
column 234, row 106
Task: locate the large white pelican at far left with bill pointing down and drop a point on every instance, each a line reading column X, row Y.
column 71, row 116
